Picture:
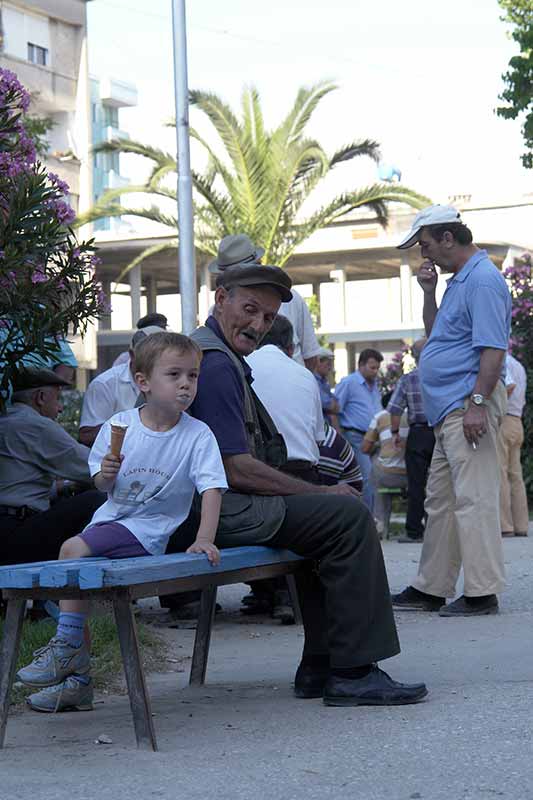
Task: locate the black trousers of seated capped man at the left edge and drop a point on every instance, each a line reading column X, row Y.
column 39, row 537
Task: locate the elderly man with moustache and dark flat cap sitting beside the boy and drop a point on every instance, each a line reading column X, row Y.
column 267, row 506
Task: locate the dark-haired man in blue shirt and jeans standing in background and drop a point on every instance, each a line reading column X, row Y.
column 360, row 399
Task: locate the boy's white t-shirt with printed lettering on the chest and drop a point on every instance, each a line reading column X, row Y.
column 154, row 489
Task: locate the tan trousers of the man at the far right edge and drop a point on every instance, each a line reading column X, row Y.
column 513, row 498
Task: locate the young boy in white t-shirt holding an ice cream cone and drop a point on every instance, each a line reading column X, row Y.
column 166, row 456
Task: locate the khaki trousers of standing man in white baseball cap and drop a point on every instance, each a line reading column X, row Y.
column 462, row 504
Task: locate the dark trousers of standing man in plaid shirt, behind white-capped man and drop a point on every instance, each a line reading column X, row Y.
column 418, row 454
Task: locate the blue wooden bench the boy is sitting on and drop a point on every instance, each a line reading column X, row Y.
column 122, row 581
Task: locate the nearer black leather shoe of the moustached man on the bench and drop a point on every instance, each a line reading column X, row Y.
column 376, row 689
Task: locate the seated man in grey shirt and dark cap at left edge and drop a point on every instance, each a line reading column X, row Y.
column 34, row 450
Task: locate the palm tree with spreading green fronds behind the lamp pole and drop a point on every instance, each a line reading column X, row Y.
column 260, row 185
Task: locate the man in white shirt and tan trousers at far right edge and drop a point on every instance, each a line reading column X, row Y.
column 513, row 498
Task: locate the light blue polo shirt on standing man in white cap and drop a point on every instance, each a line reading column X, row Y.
column 475, row 313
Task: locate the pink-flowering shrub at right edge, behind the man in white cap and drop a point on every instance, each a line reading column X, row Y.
column 520, row 280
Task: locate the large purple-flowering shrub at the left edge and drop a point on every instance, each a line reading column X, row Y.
column 47, row 283
